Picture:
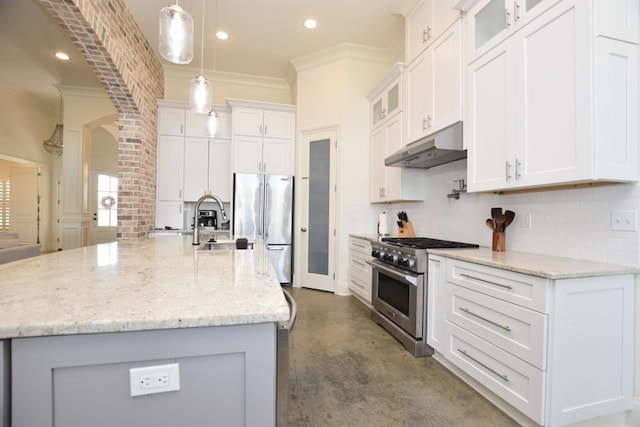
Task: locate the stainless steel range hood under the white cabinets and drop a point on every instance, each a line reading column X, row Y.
column 441, row 147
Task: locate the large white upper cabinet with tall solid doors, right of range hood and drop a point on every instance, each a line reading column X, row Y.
column 553, row 104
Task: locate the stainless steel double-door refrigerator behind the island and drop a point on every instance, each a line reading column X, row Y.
column 263, row 206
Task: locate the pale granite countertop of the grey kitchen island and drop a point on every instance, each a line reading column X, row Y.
column 155, row 283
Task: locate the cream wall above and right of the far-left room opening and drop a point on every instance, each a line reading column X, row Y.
column 25, row 123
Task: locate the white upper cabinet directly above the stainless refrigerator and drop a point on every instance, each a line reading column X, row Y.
column 263, row 137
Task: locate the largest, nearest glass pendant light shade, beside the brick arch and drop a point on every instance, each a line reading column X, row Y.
column 176, row 35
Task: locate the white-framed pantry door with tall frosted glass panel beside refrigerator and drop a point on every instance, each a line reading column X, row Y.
column 317, row 223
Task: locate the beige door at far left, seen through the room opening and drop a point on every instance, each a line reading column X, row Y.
column 25, row 203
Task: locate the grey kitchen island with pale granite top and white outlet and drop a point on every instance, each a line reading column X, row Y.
column 74, row 323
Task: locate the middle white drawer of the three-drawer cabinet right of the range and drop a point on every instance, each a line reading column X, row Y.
column 515, row 329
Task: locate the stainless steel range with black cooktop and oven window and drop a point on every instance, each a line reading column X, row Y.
column 399, row 295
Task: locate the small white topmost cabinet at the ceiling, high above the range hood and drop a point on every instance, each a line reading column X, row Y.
column 425, row 22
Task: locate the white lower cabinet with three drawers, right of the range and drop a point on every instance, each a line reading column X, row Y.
column 558, row 351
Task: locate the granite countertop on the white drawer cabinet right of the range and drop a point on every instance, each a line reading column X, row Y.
column 549, row 267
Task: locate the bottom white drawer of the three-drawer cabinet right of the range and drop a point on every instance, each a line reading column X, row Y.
column 515, row 381
